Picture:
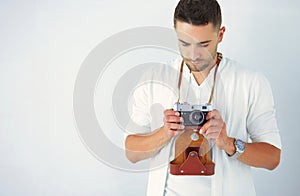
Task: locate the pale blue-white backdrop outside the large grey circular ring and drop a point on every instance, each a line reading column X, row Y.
column 43, row 44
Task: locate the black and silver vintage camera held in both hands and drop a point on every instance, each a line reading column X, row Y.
column 193, row 115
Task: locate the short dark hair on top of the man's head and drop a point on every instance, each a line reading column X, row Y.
column 198, row 12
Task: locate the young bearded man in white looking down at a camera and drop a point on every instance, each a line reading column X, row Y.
column 242, row 127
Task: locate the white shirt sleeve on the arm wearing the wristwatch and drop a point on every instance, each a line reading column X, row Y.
column 261, row 119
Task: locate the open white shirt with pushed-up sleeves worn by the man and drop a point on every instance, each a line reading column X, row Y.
column 245, row 101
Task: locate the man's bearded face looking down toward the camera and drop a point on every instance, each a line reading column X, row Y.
column 198, row 44
